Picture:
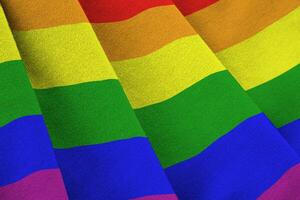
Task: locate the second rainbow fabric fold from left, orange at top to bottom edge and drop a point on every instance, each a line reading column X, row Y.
column 101, row 149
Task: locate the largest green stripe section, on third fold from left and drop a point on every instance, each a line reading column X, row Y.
column 183, row 126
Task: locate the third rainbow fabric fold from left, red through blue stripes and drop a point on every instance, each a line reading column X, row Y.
column 210, row 137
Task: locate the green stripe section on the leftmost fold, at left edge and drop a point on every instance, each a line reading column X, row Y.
column 17, row 99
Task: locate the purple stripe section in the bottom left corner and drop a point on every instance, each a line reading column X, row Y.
column 44, row 184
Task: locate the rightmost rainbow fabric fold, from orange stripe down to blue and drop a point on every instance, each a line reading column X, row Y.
column 261, row 50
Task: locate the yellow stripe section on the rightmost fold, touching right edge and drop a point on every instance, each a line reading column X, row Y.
column 267, row 54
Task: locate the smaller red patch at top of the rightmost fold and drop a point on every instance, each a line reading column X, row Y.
column 189, row 6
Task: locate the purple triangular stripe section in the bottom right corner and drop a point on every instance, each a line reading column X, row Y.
column 286, row 188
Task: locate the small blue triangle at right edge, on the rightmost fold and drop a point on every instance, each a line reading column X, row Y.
column 291, row 132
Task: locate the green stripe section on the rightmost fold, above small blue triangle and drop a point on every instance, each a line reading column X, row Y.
column 279, row 98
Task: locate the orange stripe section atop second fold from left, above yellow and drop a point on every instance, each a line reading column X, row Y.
column 34, row 14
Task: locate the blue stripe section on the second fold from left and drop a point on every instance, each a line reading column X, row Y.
column 116, row 170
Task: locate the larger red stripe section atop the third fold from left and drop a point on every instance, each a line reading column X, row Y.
column 117, row 10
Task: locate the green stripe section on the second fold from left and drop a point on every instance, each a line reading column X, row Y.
column 88, row 113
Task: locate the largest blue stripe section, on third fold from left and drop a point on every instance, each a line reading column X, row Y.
column 240, row 165
